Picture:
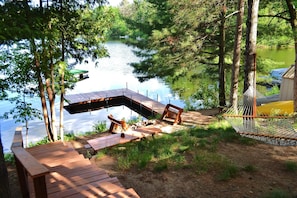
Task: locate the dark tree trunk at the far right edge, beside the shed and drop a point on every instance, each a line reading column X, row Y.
column 293, row 22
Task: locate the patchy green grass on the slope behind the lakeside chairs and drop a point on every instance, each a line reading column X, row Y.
column 195, row 148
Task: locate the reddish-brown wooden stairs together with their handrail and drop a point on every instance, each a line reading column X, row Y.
column 67, row 174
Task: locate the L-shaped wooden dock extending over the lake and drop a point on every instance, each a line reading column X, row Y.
column 141, row 104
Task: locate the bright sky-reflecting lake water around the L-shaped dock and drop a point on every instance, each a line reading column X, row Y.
column 112, row 73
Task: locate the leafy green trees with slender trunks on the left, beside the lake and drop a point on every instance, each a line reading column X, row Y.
column 39, row 41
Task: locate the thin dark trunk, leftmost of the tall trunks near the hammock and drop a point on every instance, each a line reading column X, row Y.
column 222, row 97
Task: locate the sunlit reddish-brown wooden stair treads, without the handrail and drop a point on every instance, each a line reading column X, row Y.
column 72, row 175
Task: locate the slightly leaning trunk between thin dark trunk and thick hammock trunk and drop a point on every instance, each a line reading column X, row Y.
column 236, row 56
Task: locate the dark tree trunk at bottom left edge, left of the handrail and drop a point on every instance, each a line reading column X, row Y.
column 4, row 182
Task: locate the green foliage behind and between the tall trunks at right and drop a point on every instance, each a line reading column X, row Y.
column 177, row 41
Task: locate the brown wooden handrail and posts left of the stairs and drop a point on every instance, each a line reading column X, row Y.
column 27, row 165
